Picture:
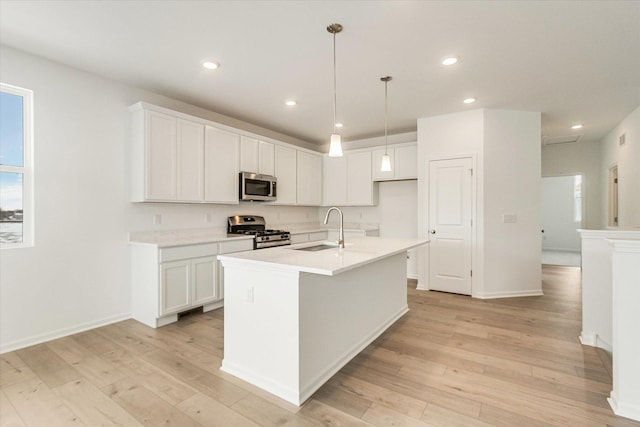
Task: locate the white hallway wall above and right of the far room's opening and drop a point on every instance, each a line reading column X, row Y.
column 582, row 158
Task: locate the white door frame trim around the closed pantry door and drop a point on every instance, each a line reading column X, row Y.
column 477, row 282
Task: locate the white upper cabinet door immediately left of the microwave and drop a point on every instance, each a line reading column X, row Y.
column 221, row 166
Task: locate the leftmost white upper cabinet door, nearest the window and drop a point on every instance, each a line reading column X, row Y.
column 161, row 157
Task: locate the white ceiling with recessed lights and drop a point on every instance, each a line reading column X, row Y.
column 575, row 61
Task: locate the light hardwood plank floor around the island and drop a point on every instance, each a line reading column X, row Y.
column 451, row 361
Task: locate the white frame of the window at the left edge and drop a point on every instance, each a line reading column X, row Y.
column 26, row 169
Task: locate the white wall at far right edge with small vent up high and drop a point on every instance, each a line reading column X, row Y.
column 627, row 158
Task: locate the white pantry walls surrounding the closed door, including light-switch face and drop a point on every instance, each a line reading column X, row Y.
column 506, row 146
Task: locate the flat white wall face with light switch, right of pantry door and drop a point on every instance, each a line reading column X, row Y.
column 512, row 185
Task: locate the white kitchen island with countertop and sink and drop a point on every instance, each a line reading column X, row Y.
column 293, row 316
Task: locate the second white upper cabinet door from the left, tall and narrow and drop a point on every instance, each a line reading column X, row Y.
column 190, row 150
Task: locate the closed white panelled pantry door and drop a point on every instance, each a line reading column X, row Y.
column 450, row 216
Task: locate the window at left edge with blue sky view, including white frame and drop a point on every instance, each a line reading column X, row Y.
column 16, row 169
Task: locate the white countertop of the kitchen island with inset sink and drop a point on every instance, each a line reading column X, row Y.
column 359, row 251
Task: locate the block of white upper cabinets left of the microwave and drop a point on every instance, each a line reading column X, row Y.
column 180, row 160
